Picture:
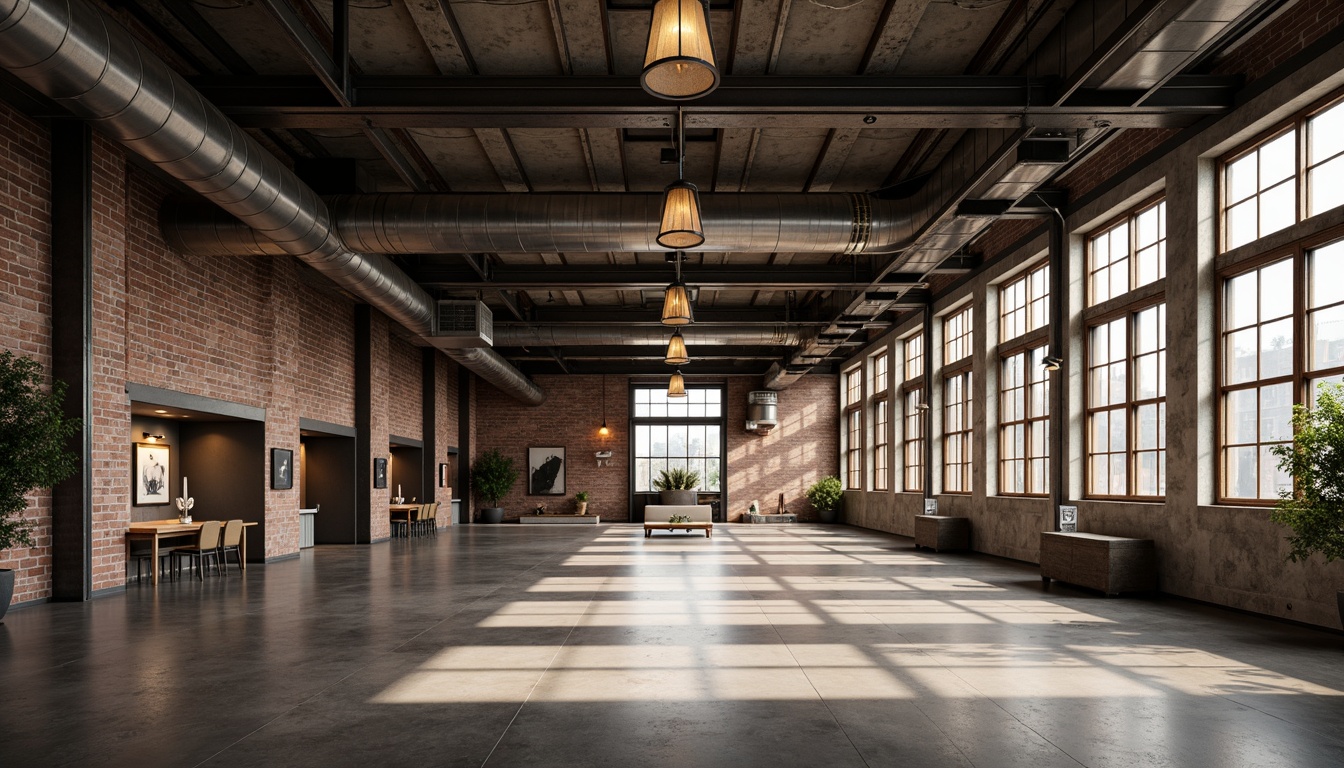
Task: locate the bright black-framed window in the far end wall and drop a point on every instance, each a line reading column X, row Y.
column 678, row 434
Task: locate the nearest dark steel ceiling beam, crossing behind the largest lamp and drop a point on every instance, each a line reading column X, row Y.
column 959, row 102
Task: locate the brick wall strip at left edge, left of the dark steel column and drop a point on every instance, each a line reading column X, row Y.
column 26, row 305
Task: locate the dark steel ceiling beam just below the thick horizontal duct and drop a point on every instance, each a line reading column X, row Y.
column 634, row 278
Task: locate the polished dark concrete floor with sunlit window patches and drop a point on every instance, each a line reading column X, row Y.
column 593, row 646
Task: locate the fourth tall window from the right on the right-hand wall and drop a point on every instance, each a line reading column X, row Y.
column 956, row 403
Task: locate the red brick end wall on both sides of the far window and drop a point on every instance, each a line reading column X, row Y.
column 800, row 451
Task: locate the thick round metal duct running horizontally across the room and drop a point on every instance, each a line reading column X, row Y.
column 569, row 224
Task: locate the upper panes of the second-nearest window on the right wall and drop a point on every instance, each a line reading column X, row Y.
column 1128, row 255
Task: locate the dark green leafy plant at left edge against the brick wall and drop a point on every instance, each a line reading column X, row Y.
column 33, row 451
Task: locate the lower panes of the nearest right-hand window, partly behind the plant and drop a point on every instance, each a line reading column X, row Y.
column 1265, row 373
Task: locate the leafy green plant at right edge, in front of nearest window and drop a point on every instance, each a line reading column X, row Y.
column 1314, row 508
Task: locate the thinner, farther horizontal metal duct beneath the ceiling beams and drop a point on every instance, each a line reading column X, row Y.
column 635, row 337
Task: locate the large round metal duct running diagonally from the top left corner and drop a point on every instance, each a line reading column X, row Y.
column 75, row 54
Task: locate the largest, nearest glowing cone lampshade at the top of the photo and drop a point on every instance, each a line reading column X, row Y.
column 679, row 61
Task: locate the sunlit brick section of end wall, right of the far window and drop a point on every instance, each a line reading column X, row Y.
column 803, row 450
